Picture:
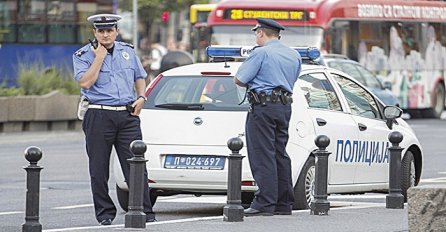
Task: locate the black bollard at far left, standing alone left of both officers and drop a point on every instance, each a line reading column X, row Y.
column 33, row 155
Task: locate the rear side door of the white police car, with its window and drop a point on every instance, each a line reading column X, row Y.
column 328, row 118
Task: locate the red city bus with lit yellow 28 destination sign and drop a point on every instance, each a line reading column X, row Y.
column 401, row 41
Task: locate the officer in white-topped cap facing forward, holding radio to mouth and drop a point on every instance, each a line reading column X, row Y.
column 109, row 72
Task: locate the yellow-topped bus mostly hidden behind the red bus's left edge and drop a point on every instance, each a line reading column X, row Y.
column 198, row 16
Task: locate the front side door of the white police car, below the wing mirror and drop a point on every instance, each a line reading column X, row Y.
column 371, row 156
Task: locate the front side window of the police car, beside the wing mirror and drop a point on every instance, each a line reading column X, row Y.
column 360, row 101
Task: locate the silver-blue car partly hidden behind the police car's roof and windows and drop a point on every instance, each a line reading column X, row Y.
column 364, row 76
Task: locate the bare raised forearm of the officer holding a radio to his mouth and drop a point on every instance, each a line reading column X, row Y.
column 91, row 75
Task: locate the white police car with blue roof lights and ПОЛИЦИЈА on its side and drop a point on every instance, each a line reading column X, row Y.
column 192, row 111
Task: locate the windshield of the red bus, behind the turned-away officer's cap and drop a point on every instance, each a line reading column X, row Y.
column 292, row 36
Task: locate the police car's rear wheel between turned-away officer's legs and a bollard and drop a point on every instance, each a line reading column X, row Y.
column 304, row 188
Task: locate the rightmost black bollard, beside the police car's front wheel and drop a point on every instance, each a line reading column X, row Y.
column 395, row 199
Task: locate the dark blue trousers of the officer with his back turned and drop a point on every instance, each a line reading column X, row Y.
column 266, row 139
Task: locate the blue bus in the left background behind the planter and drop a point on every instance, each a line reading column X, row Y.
column 44, row 33
